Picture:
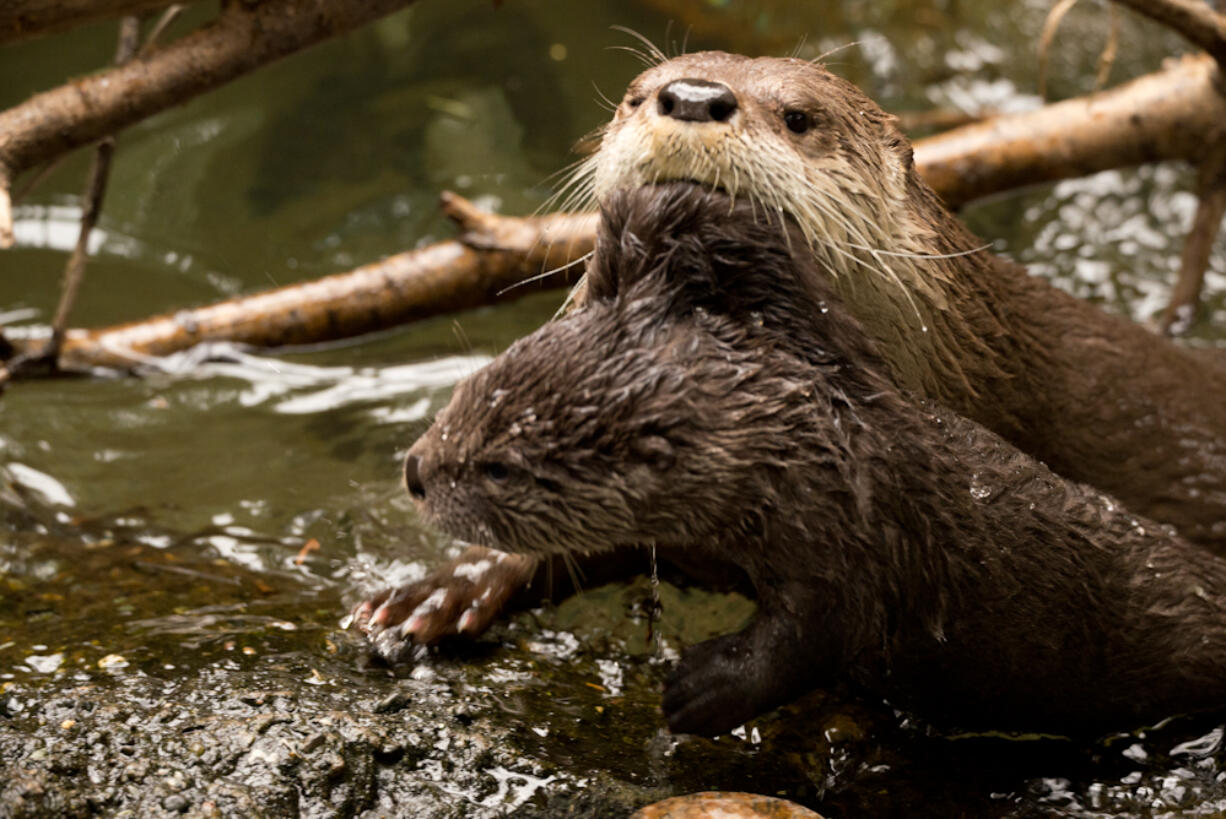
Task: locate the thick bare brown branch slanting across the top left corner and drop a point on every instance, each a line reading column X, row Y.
column 245, row 37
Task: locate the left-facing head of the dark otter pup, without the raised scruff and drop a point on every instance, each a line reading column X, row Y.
column 581, row 437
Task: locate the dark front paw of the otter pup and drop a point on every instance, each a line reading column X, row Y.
column 709, row 693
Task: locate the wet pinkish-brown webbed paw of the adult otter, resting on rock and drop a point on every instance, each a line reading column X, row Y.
column 462, row 598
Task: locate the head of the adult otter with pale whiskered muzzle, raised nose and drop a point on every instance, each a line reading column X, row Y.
column 785, row 133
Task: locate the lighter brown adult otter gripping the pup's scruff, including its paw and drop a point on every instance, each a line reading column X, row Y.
column 1095, row 398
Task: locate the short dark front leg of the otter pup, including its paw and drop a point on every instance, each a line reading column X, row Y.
column 724, row 682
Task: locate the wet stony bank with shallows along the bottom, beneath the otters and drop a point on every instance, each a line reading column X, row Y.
column 221, row 692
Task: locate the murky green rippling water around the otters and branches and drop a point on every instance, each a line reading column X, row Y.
column 162, row 520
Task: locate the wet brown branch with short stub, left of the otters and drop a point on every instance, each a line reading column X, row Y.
column 489, row 264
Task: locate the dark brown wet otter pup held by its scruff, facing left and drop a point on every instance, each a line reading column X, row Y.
column 715, row 398
